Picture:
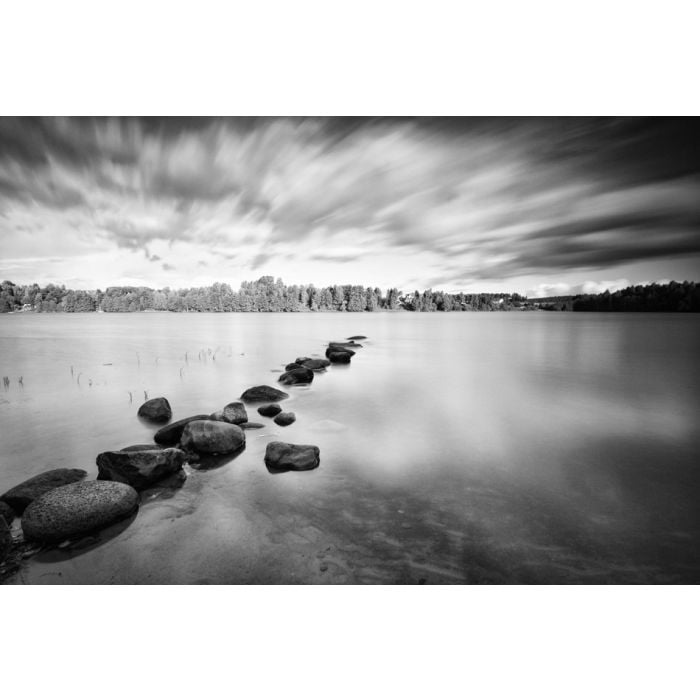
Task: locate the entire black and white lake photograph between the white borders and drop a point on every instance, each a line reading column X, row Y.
column 350, row 350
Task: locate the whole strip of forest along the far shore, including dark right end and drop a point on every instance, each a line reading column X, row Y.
column 268, row 294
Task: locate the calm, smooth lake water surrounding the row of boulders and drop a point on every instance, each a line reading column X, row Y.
column 457, row 448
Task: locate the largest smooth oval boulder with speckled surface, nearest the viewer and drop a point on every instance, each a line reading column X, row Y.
column 78, row 509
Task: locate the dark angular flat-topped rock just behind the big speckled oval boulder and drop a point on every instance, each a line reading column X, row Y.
column 141, row 468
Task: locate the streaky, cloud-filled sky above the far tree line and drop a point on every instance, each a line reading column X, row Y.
column 529, row 205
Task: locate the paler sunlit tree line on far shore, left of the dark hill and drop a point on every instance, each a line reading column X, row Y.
column 264, row 294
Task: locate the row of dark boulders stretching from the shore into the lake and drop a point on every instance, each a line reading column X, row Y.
column 58, row 505
